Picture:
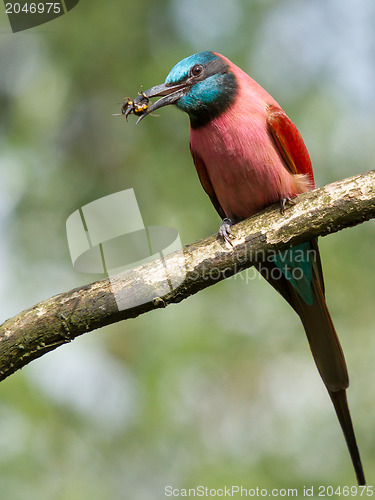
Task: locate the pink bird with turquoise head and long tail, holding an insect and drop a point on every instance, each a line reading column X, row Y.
column 248, row 155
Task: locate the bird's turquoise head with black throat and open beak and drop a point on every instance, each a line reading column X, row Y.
column 202, row 85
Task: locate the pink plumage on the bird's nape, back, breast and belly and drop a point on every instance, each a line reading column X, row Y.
column 238, row 150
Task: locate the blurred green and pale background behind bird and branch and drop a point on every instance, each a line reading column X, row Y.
column 220, row 389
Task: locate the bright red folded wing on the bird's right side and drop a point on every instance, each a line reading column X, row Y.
column 289, row 143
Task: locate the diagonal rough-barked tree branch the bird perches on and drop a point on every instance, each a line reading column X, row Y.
column 59, row 319
